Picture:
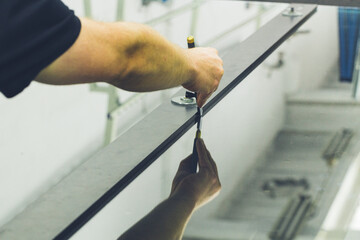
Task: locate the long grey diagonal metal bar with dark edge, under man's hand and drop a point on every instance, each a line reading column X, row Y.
column 83, row 193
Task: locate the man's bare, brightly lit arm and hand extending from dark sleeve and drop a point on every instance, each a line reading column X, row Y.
column 134, row 57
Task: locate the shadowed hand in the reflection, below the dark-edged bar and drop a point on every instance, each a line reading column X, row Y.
column 197, row 188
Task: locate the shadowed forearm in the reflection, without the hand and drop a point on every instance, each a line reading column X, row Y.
column 166, row 222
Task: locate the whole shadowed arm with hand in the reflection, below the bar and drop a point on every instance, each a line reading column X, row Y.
column 189, row 192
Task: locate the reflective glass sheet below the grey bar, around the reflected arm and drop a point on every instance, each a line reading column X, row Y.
column 288, row 132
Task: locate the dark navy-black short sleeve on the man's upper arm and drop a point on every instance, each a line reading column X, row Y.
column 33, row 33
